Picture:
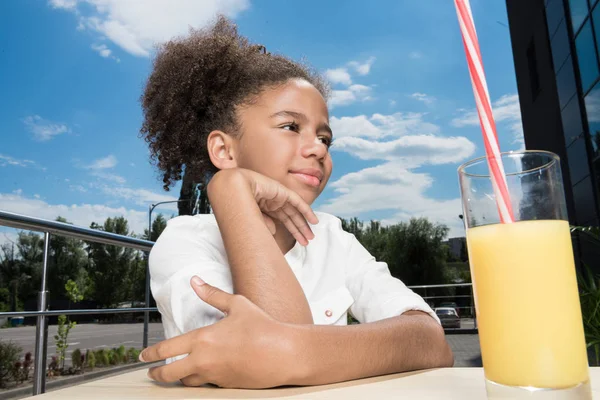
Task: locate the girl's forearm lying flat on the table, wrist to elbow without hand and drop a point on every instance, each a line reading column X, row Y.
column 411, row 341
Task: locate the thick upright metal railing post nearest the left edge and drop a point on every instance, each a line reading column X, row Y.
column 41, row 330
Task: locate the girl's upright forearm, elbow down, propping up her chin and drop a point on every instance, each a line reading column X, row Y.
column 258, row 268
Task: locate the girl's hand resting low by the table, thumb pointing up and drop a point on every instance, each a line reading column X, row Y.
column 246, row 349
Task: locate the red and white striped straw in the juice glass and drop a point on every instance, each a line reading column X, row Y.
column 484, row 109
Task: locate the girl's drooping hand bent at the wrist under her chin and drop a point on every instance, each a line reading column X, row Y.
column 278, row 203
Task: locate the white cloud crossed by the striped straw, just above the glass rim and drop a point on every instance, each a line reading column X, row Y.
column 506, row 110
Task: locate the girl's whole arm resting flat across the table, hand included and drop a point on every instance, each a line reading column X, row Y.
column 249, row 349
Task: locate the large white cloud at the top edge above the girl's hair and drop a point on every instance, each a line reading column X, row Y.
column 136, row 26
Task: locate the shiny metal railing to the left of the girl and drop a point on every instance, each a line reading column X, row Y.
column 63, row 229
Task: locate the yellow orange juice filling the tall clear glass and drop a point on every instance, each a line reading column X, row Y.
column 529, row 316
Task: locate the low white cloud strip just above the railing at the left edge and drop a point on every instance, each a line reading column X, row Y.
column 79, row 214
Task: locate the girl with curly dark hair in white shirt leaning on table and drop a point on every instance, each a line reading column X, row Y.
column 246, row 301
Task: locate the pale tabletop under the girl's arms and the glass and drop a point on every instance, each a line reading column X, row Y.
column 447, row 384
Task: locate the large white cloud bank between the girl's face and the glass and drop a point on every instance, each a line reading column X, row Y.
column 403, row 142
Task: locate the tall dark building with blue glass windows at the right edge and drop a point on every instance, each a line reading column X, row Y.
column 556, row 54
